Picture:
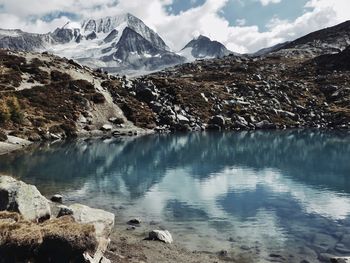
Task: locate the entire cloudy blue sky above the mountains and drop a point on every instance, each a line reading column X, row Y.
column 242, row 25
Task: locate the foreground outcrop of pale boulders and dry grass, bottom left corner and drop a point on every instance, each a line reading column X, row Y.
column 27, row 233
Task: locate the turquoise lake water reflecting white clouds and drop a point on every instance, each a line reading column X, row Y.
column 266, row 196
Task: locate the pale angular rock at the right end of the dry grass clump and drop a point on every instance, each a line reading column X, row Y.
column 103, row 222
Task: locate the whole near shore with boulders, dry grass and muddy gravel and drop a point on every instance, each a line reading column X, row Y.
column 35, row 229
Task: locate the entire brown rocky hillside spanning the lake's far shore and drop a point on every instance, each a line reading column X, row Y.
column 47, row 97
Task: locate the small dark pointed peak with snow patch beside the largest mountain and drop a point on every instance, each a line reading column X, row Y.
column 204, row 48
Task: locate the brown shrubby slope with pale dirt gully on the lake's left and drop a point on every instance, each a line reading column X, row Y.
column 46, row 97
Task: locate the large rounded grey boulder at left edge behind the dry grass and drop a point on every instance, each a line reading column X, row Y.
column 17, row 196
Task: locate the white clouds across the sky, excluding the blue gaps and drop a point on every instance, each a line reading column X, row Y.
column 177, row 30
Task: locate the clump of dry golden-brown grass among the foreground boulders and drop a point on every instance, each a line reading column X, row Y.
column 60, row 240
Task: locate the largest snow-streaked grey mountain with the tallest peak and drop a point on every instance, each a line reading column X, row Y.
column 118, row 44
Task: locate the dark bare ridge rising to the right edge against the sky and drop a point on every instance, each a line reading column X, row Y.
column 324, row 41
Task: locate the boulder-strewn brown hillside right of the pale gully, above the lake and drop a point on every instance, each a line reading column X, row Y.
column 242, row 93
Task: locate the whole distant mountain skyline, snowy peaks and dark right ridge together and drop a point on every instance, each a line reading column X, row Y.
column 125, row 44
